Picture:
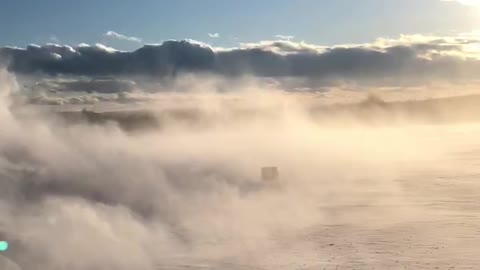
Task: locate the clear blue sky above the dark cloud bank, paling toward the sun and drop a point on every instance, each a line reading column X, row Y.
column 329, row 22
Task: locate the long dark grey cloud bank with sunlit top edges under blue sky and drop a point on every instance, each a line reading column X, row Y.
column 406, row 60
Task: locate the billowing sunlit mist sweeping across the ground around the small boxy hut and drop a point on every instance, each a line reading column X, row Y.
column 84, row 196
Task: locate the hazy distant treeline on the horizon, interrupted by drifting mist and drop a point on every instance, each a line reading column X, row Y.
column 372, row 110
